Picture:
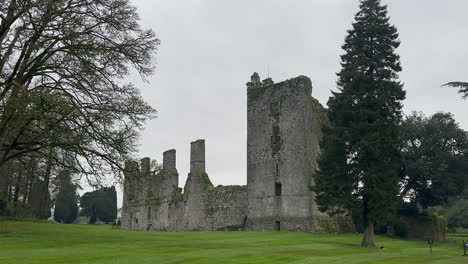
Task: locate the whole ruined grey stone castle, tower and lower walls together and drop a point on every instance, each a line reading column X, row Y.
column 284, row 131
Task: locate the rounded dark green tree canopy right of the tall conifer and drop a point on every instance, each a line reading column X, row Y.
column 435, row 159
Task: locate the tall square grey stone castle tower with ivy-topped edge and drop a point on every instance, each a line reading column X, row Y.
column 283, row 133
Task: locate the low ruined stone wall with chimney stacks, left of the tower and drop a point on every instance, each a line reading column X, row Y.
column 154, row 201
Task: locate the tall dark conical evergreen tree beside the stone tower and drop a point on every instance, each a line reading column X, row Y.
column 360, row 161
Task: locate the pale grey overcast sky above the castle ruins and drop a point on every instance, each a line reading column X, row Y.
column 210, row 48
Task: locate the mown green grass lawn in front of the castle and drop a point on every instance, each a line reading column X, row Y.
column 49, row 243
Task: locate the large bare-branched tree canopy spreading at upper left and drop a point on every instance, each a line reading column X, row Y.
column 62, row 89
